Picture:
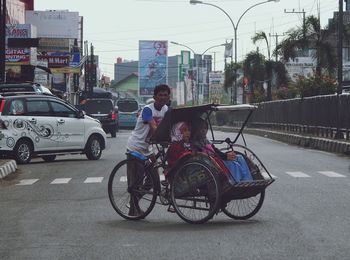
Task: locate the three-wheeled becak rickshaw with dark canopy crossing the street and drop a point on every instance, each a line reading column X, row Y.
column 195, row 187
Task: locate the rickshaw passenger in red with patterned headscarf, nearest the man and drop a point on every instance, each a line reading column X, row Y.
column 180, row 142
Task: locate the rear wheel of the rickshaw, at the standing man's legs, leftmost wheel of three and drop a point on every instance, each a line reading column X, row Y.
column 132, row 190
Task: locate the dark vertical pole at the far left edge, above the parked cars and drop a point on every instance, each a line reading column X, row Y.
column 2, row 40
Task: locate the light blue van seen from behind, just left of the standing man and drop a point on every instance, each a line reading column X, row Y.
column 128, row 110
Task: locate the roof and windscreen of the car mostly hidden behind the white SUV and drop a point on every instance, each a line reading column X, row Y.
column 20, row 88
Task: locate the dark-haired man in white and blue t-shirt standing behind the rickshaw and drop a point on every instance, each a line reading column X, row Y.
column 147, row 122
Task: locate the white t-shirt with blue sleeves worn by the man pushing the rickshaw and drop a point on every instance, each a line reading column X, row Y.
column 140, row 135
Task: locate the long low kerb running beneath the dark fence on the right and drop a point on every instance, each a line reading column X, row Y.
column 318, row 143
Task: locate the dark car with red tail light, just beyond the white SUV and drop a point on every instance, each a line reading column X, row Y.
column 103, row 110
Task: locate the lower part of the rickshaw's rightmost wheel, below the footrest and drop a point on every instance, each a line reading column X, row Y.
column 242, row 209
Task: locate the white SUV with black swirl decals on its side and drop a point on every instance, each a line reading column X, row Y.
column 46, row 126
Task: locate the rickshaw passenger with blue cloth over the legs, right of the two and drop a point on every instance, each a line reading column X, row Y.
column 239, row 170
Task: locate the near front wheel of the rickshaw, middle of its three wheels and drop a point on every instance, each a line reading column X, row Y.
column 195, row 192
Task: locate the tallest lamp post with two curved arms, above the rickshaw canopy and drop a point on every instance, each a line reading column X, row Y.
column 235, row 27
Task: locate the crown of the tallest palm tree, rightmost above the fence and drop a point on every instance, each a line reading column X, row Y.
column 310, row 37
